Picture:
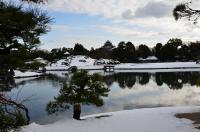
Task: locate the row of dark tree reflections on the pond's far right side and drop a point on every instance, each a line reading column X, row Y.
column 174, row 80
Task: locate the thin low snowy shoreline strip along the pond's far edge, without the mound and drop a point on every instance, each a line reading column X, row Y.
column 124, row 67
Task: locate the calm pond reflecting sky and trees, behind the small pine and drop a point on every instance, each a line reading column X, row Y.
column 127, row 91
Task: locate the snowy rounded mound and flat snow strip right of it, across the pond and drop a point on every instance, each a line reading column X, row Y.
column 87, row 63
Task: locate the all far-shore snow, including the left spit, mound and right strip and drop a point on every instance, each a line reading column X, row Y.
column 87, row 63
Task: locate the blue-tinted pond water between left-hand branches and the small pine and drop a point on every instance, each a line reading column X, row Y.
column 38, row 91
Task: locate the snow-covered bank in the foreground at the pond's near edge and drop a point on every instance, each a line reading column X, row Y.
column 138, row 120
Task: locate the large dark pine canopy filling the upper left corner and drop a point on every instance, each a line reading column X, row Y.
column 20, row 31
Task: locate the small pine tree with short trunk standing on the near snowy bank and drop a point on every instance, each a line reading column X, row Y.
column 82, row 89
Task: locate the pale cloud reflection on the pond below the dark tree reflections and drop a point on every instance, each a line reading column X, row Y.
column 152, row 95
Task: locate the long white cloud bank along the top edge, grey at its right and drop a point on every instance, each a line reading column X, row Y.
column 115, row 9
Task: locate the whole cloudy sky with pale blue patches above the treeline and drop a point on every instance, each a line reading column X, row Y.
column 142, row 21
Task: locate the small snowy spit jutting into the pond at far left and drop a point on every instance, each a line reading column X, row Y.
column 19, row 74
